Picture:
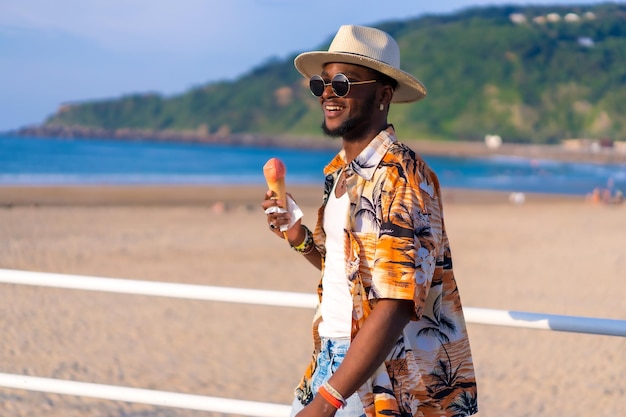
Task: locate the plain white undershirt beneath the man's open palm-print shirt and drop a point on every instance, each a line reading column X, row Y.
column 336, row 305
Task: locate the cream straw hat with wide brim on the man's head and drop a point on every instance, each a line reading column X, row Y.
column 368, row 47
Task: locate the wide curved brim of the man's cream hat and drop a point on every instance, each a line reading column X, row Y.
column 409, row 88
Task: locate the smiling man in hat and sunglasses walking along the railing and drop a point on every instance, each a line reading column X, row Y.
column 389, row 334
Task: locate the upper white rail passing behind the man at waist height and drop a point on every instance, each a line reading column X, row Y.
column 600, row 326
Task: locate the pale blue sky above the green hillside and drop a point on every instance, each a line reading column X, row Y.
column 54, row 52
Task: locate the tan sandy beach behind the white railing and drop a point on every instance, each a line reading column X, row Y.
column 552, row 254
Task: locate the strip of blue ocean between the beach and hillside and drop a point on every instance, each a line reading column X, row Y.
column 57, row 161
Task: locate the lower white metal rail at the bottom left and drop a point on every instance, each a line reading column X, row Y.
column 144, row 396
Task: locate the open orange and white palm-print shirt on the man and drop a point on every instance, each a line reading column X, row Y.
column 396, row 247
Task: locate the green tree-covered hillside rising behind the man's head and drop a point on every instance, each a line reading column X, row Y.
column 514, row 71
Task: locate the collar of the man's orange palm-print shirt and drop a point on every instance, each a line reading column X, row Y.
column 366, row 162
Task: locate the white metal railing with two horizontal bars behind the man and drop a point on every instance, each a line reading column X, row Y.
column 599, row 326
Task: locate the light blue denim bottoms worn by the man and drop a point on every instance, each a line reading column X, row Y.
column 330, row 357
